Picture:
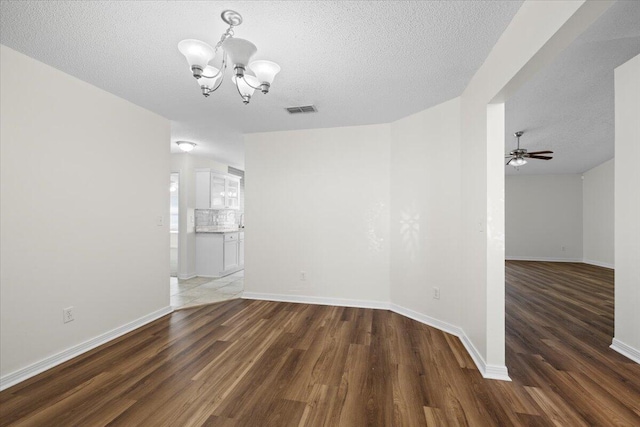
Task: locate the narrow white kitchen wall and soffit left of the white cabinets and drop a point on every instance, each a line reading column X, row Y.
column 186, row 164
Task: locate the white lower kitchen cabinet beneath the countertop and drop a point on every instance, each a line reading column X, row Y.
column 219, row 254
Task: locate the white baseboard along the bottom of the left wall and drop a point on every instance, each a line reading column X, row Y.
column 27, row 372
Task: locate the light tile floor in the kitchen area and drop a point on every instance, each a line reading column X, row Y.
column 204, row 290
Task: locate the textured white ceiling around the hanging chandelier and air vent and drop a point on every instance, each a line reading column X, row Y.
column 359, row 62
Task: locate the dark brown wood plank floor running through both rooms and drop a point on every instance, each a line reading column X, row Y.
column 256, row 363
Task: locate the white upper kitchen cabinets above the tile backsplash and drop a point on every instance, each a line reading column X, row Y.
column 215, row 190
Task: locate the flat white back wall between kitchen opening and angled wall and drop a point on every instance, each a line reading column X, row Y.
column 318, row 201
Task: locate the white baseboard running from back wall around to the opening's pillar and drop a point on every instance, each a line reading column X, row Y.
column 494, row 372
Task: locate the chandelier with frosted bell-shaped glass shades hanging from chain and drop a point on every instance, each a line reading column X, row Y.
column 238, row 53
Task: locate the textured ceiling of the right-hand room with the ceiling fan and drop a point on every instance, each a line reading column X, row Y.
column 569, row 107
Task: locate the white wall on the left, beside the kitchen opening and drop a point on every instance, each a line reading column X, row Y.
column 84, row 177
